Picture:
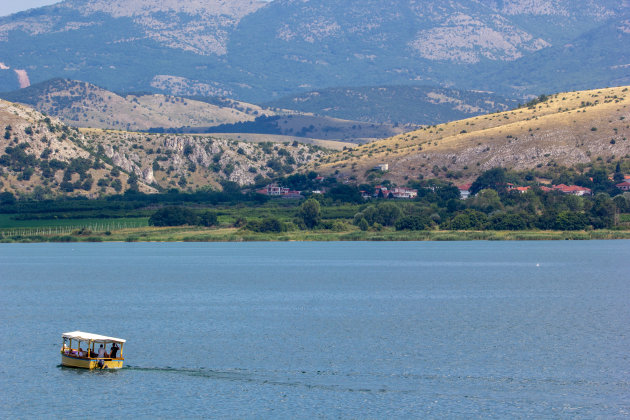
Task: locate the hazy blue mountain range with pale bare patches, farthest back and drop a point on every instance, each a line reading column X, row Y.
column 260, row 51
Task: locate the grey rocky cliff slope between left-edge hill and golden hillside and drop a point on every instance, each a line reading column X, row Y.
column 187, row 161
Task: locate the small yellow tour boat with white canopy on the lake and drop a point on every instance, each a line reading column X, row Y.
column 88, row 358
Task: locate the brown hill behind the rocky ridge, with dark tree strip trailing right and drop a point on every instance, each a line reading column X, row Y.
column 85, row 105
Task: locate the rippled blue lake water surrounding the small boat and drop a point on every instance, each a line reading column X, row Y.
column 301, row 330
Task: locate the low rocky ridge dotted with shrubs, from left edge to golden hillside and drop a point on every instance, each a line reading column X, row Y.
column 41, row 157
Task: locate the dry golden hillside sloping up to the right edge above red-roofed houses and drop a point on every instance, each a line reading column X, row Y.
column 564, row 129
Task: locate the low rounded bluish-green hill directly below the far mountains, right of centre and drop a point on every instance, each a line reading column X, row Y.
column 395, row 104
